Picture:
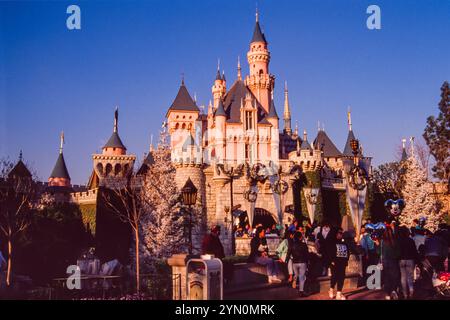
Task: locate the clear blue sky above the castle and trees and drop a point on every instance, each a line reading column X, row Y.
column 131, row 54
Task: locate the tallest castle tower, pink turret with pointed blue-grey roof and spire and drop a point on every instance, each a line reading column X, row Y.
column 260, row 81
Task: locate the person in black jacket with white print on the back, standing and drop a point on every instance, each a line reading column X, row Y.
column 339, row 262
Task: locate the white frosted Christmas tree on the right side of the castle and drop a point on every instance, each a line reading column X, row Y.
column 418, row 195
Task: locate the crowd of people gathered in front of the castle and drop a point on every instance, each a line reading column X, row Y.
column 407, row 257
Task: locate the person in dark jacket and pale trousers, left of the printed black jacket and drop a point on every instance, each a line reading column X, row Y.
column 298, row 250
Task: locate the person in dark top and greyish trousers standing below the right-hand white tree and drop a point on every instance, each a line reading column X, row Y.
column 409, row 257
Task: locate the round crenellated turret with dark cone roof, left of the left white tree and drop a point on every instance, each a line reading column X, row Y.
column 113, row 166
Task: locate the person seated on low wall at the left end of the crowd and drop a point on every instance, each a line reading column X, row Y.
column 259, row 253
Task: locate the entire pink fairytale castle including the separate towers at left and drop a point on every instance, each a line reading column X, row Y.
column 240, row 158
